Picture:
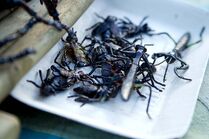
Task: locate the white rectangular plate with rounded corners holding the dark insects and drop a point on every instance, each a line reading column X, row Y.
column 171, row 109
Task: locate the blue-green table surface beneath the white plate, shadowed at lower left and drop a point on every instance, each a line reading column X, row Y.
column 39, row 124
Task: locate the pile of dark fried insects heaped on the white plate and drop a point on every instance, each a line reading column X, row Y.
column 117, row 64
